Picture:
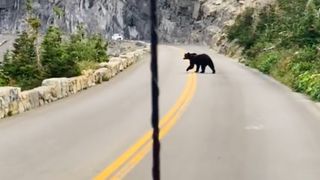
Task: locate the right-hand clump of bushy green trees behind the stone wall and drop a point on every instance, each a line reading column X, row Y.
column 69, row 58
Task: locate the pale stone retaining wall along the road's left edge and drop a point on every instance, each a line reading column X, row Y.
column 14, row 101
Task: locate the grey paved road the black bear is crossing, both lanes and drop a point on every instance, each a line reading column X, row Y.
column 240, row 125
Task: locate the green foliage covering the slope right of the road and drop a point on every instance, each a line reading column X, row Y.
column 283, row 40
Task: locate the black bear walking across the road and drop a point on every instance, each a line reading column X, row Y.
column 200, row 60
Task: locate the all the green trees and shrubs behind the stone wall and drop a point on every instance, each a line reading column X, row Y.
column 25, row 67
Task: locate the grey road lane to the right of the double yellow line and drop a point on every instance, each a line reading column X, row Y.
column 240, row 125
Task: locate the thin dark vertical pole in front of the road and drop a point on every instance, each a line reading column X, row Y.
column 155, row 91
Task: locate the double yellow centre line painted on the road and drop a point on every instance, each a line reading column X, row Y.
column 128, row 160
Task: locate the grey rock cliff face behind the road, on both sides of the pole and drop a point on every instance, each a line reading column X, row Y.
column 193, row 21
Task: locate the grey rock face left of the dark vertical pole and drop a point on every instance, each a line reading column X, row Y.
column 128, row 17
